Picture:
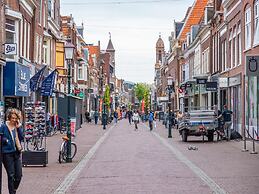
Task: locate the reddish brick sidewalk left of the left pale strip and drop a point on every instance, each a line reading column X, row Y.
column 41, row 180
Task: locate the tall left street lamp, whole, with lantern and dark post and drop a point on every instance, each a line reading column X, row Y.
column 69, row 52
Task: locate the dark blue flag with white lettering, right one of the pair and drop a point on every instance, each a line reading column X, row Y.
column 48, row 83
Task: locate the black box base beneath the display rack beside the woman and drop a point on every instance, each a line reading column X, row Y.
column 35, row 158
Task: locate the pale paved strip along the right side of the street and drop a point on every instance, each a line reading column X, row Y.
column 200, row 173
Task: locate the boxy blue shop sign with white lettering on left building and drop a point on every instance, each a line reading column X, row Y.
column 16, row 79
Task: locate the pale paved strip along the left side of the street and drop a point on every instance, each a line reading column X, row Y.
column 72, row 176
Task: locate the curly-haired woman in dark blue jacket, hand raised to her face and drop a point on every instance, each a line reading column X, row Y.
column 12, row 148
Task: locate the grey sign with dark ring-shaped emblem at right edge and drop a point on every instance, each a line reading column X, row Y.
column 252, row 65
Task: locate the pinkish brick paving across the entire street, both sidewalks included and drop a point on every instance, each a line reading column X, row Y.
column 131, row 161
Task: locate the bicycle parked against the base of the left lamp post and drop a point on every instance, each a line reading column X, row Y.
column 63, row 150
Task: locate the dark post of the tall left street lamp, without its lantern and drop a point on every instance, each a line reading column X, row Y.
column 69, row 159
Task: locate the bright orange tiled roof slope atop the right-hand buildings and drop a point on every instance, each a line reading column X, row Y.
column 193, row 18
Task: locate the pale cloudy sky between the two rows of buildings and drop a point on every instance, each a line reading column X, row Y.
column 134, row 25
